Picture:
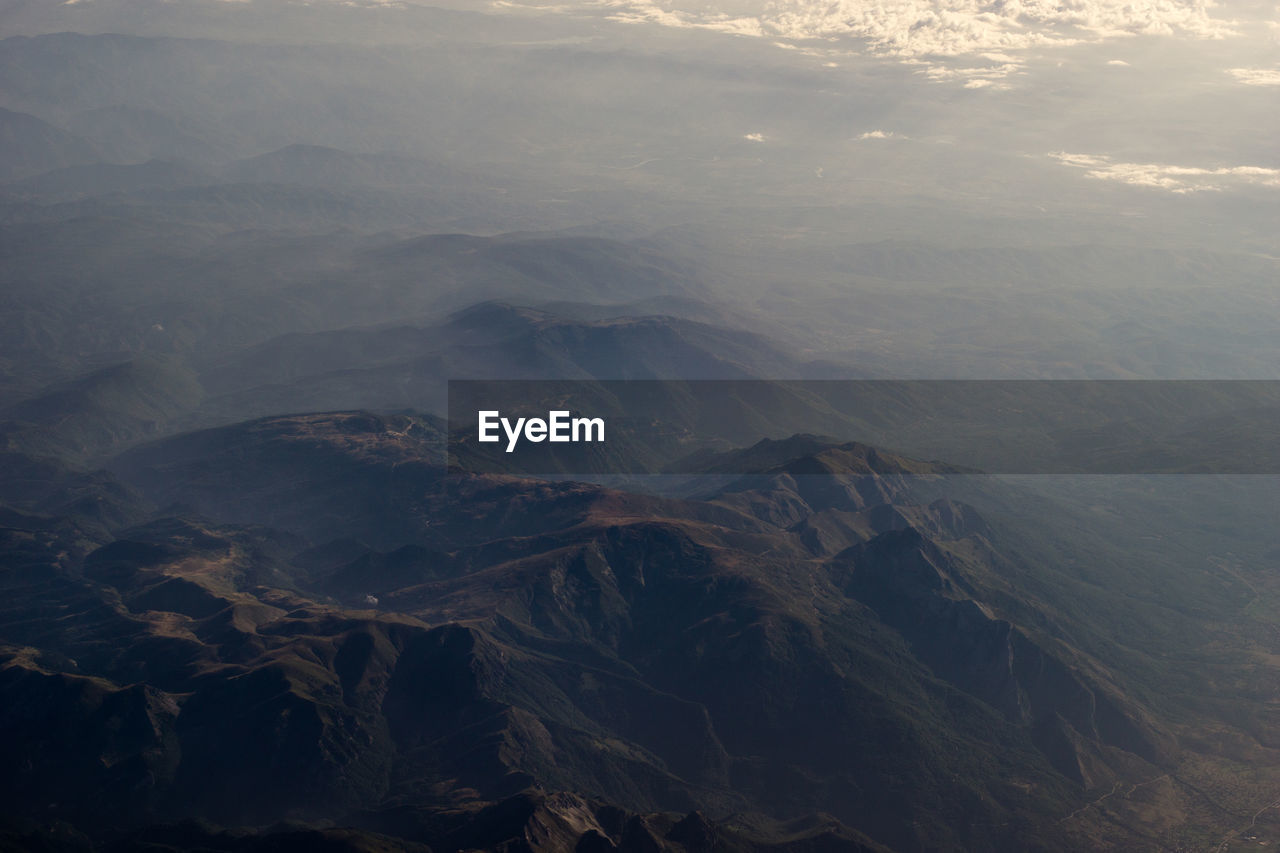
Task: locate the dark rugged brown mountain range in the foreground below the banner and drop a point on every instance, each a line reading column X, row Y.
column 316, row 640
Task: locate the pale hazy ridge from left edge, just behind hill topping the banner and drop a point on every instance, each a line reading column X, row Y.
column 92, row 289
